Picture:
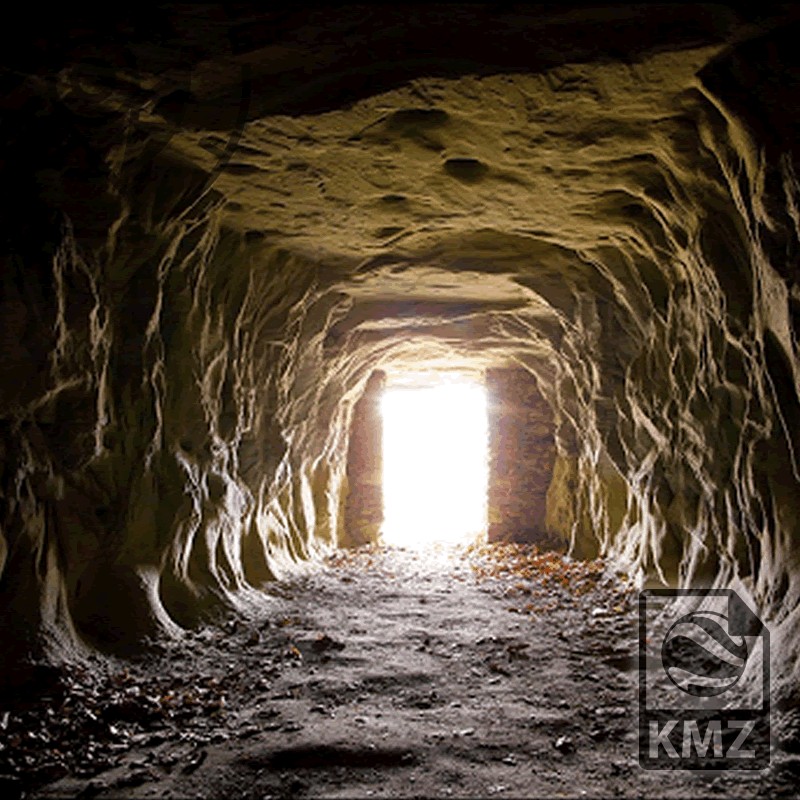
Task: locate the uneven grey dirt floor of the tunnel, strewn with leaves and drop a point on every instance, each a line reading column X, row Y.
column 471, row 672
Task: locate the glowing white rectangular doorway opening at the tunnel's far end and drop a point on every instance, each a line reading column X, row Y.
column 435, row 463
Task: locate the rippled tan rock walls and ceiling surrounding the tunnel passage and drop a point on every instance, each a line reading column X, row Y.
column 219, row 222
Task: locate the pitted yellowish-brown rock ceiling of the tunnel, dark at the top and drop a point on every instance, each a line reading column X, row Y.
column 431, row 162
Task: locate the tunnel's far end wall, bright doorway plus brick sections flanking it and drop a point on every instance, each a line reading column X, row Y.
column 450, row 457
